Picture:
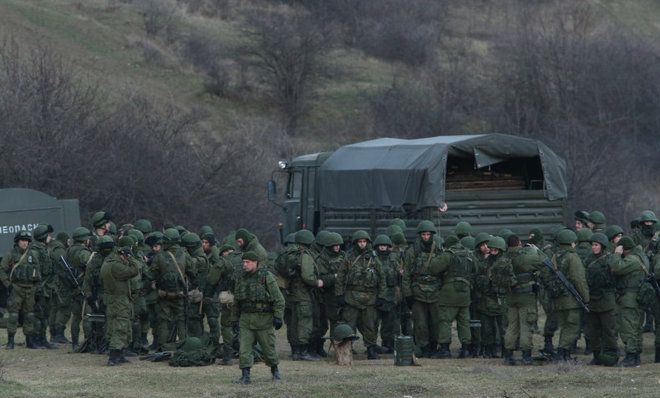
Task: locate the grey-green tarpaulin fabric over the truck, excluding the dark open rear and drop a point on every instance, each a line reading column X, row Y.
column 389, row 173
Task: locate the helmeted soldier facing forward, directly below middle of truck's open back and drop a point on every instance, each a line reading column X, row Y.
column 491, row 304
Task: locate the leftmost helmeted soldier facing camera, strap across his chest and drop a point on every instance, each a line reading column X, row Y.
column 20, row 273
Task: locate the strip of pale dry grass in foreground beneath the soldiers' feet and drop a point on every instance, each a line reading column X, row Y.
column 57, row 373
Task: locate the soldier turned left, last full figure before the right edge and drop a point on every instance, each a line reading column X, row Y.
column 628, row 267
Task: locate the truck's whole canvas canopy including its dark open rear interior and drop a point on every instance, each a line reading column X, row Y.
column 394, row 174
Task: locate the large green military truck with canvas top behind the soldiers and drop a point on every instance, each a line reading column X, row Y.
column 492, row 181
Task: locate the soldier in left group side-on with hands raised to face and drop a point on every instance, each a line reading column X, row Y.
column 117, row 270
